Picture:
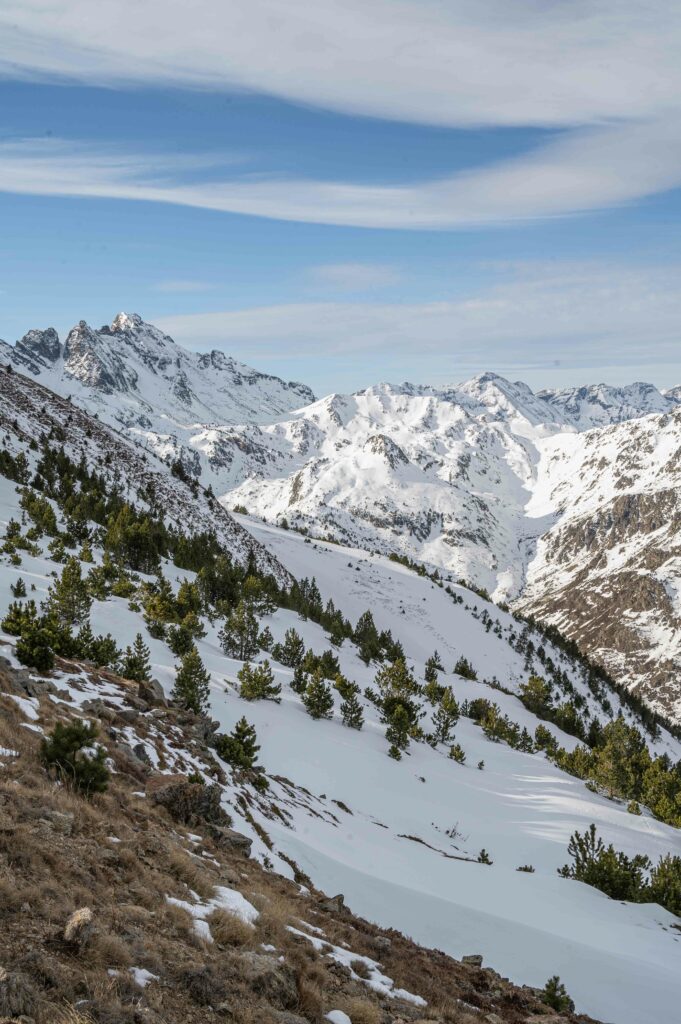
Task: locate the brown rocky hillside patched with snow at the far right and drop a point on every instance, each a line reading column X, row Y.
column 609, row 571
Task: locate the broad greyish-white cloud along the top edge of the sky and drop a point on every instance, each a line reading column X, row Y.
column 439, row 62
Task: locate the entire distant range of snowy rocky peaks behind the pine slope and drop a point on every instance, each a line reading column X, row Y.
column 548, row 499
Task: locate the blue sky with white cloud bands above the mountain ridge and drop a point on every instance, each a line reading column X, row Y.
column 352, row 191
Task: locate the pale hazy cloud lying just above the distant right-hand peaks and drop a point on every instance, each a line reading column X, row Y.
column 537, row 322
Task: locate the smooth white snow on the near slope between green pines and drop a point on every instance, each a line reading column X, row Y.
column 381, row 832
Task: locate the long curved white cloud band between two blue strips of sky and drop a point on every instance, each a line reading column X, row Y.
column 577, row 173
